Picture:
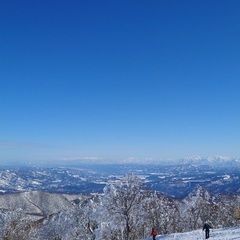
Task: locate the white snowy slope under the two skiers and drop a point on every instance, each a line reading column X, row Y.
column 216, row 234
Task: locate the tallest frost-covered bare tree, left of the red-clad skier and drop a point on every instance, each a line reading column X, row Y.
column 122, row 202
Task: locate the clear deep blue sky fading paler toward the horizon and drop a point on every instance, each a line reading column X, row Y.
column 119, row 79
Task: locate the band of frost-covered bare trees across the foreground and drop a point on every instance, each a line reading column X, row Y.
column 125, row 211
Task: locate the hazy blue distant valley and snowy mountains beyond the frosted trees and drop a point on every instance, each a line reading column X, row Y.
column 176, row 178
